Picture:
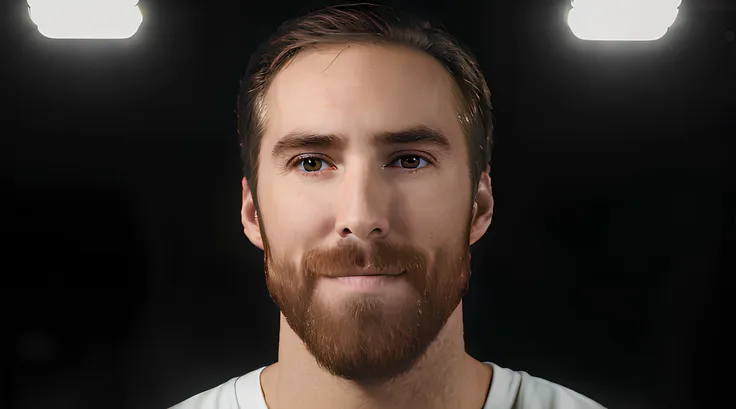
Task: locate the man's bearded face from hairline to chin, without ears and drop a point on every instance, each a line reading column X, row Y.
column 332, row 206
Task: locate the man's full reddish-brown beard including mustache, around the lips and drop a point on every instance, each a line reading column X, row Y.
column 363, row 337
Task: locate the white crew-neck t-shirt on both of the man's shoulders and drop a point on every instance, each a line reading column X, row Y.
column 509, row 390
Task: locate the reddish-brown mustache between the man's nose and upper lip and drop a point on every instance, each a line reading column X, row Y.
column 378, row 257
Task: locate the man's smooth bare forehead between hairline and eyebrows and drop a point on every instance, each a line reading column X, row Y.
column 361, row 89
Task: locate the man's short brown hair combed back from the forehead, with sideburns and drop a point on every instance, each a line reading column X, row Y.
column 364, row 23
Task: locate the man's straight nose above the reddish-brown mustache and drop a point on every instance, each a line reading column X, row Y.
column 363, row 205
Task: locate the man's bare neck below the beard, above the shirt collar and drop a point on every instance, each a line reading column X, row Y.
column 446, row 376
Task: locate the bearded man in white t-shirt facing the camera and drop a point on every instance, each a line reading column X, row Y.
column 366, row 138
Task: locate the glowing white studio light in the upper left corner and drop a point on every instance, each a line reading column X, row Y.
column 86, row 19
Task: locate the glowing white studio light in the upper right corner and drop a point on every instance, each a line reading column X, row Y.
column 622, row 20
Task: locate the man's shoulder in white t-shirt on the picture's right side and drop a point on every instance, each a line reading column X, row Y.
column 520, row 390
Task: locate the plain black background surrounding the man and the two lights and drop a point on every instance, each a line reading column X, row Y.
column 128, row 282
